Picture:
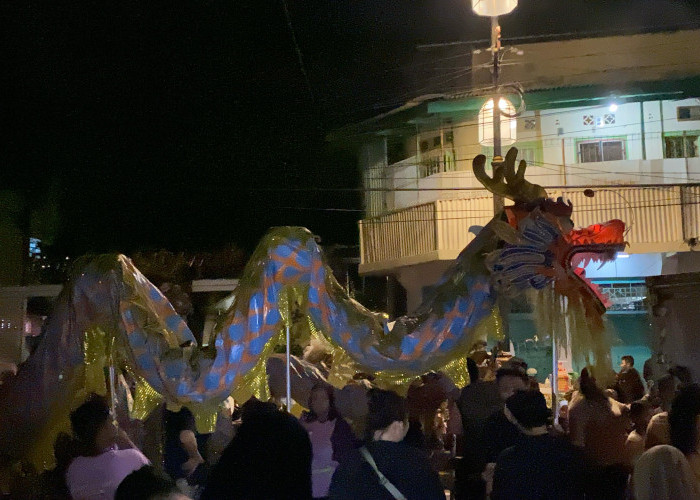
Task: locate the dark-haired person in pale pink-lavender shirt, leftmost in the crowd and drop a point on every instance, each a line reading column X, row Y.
column 106, row 456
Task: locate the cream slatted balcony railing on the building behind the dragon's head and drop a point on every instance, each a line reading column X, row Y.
column 660, row 218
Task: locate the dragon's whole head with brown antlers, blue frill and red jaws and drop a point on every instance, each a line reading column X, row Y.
column 541, row 246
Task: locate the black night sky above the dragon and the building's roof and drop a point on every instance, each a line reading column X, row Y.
column 192, row 125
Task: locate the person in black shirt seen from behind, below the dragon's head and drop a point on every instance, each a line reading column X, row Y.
column 539, row 465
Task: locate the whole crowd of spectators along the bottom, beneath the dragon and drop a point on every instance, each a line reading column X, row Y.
column 630, row 440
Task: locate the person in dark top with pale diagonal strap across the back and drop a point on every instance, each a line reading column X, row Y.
column 406, row 468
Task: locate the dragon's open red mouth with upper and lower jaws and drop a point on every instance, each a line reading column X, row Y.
column 596, row 243
